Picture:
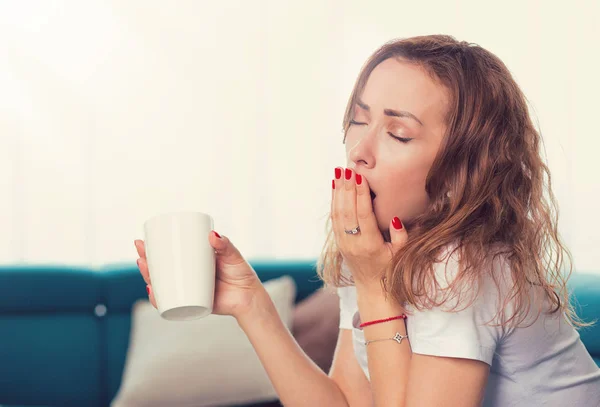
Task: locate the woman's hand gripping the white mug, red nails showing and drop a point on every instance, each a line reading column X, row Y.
column 236, row 282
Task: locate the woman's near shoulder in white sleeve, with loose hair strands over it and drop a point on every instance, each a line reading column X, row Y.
column 464, row 318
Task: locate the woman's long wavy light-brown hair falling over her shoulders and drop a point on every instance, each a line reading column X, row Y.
column 489, row 190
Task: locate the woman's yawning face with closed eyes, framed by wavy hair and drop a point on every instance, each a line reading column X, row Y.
column 399, row 99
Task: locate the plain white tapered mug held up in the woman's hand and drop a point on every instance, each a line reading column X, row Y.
column 181, row 263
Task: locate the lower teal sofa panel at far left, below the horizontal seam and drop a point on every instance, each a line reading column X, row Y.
column 50, row 360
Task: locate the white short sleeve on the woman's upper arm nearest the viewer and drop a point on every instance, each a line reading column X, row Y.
column 470, row 331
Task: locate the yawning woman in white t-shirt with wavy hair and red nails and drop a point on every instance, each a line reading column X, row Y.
column 443, row 247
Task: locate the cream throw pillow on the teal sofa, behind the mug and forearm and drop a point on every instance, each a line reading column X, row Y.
column 203, row 362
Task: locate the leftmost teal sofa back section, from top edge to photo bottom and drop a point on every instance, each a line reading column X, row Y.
column 50, row 337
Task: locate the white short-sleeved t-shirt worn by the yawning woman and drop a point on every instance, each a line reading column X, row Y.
column 544, row 364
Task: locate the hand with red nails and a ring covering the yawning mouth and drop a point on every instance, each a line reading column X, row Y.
column 366, row 253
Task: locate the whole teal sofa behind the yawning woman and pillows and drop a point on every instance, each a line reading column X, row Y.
column 64, row 331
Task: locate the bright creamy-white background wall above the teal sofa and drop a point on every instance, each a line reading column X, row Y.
column 112, row 111
